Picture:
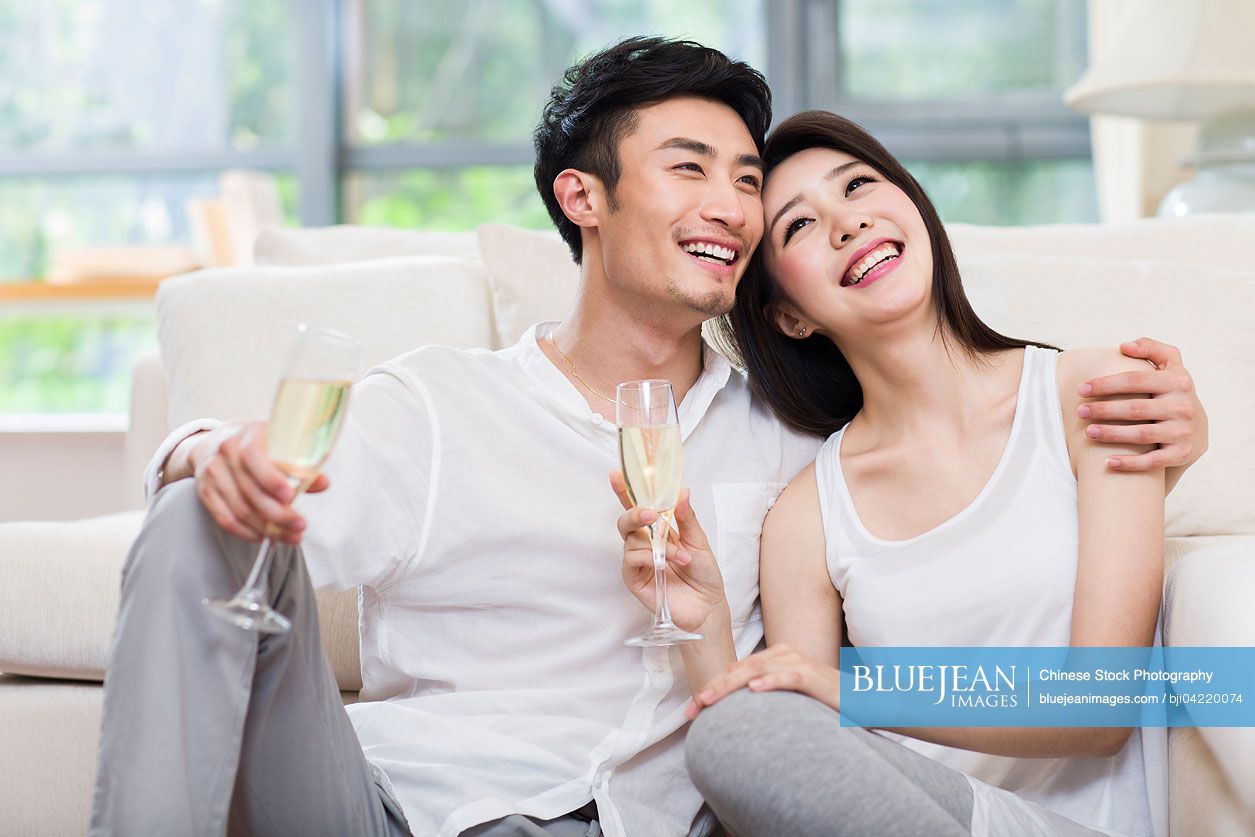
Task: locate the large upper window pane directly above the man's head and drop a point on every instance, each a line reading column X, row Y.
column 481, row 70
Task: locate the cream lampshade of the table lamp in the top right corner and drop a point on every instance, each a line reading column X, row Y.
column 1175, row 60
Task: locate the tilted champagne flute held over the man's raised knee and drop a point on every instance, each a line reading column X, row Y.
column 304, row 422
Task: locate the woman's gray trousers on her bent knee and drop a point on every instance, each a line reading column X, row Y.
column 780, row 764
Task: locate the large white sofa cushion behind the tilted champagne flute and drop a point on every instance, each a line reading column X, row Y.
column 224, row 333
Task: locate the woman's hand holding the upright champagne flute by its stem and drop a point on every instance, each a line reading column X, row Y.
column 695, row 585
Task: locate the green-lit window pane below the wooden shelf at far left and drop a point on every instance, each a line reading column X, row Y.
column 71, row 363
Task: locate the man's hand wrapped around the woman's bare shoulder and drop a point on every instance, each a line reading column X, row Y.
column 1173, row 417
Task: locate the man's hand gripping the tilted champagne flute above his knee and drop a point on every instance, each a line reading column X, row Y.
column 245, row 493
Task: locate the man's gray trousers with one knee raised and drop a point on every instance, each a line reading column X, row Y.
column 210, row 730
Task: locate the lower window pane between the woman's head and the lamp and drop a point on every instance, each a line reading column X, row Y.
column 1047, row 191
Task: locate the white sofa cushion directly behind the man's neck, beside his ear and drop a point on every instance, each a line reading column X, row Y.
column 531, row 275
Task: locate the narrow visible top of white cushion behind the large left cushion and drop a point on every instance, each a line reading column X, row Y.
column 350, row 243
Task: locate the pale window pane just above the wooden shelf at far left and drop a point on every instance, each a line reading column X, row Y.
column 41, row 218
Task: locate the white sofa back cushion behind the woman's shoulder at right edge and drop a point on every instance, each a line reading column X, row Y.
column 1076, row 302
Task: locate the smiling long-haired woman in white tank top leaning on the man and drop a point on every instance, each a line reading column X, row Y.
column 956, row 503
